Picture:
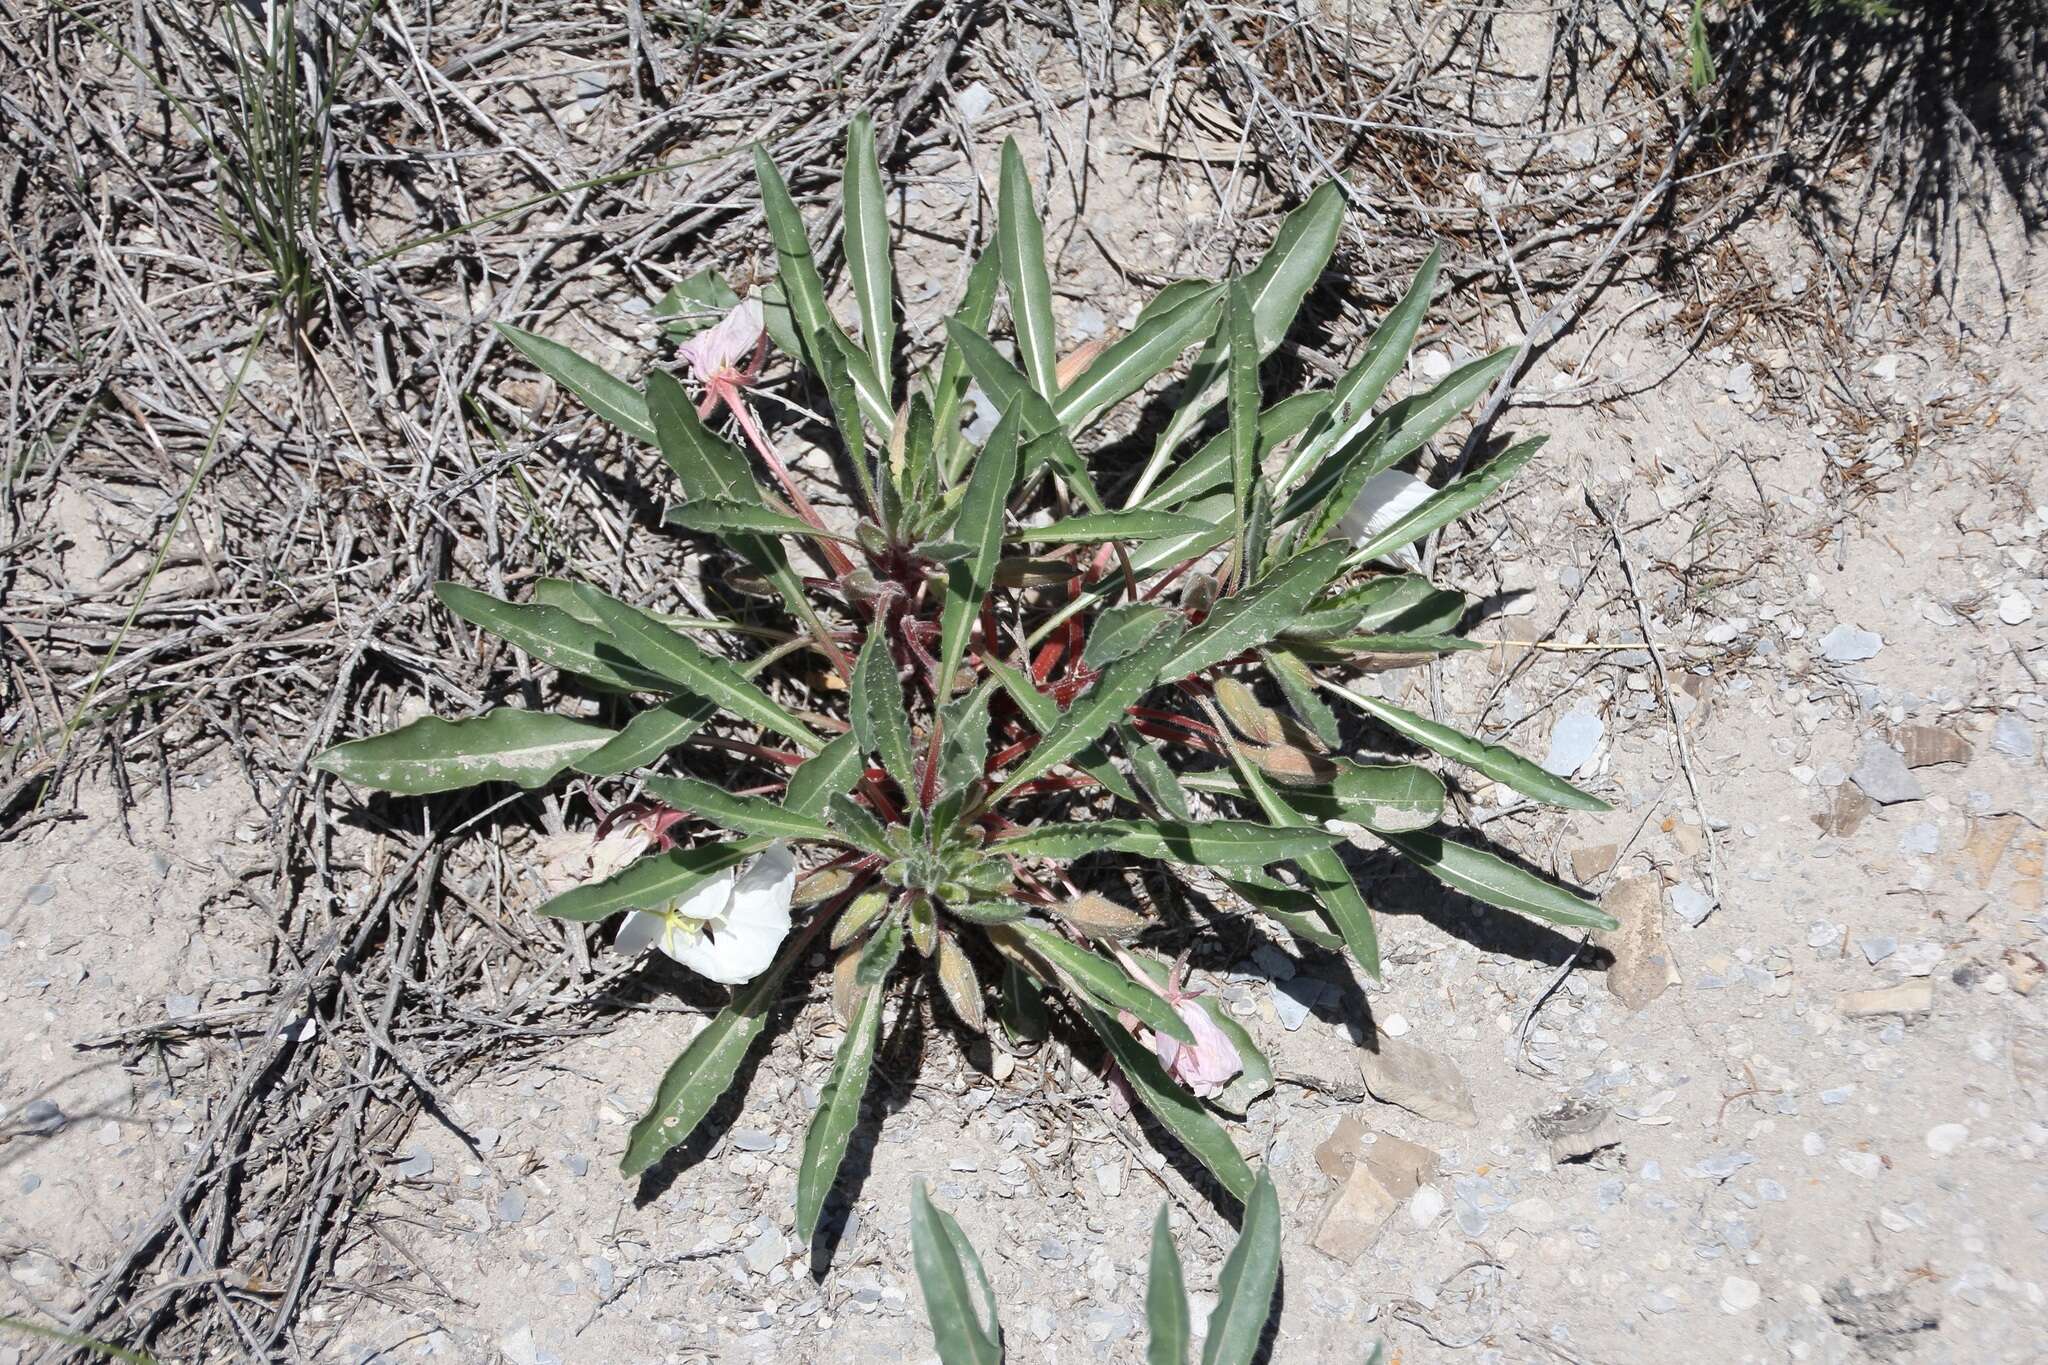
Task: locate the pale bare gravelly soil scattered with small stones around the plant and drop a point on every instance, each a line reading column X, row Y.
column 1783, row 609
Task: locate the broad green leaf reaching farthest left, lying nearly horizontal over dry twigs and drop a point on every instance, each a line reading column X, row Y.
column 441, row 756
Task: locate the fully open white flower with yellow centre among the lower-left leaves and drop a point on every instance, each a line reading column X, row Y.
column 728, row 928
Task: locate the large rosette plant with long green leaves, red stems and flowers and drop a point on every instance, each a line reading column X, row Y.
column 1019, row 674
